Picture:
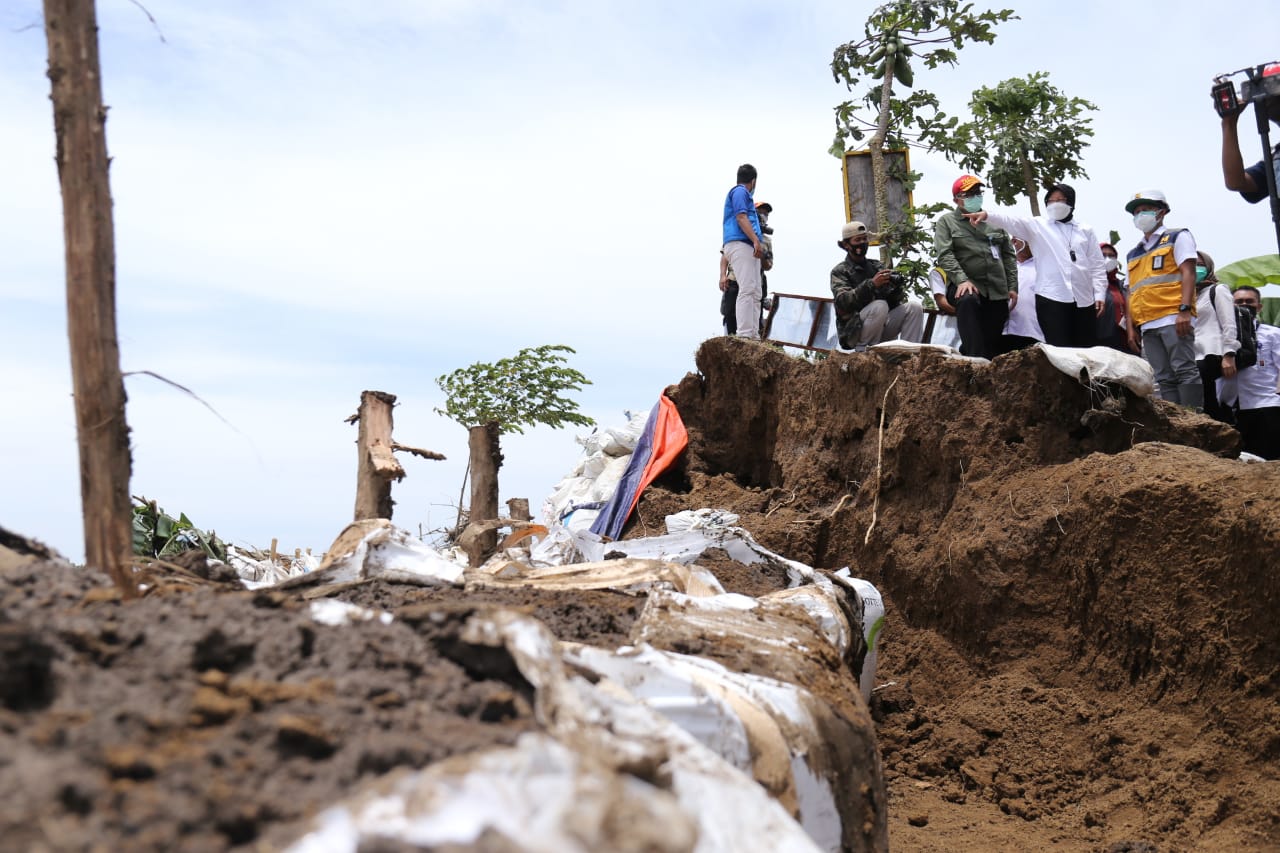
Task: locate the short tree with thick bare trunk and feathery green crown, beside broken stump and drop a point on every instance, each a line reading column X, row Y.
column 506, row 396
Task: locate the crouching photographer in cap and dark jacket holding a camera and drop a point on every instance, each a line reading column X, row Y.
column 871, row 303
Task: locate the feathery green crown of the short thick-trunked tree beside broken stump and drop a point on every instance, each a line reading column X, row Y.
column 523, row 391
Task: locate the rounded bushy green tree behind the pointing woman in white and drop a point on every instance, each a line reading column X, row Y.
column 1031, row 135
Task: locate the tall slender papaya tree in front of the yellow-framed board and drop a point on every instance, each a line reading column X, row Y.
column 898, row 37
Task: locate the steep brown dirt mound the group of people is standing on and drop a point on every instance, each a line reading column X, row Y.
column 1081, row 646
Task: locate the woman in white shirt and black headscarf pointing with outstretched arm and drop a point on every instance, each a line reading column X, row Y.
column 1071, row 276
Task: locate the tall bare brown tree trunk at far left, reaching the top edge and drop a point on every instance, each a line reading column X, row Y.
column 80, row 124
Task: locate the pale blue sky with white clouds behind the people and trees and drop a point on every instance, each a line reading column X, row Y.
column 314, row 199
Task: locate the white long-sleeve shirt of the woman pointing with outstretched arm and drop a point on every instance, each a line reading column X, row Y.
column 1058, row 277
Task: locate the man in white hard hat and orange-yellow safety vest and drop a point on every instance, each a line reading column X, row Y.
column 1163, row 299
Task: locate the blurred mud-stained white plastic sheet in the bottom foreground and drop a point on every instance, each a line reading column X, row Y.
column 575, row 788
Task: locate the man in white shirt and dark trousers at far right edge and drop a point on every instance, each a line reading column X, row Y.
column 1256, row 390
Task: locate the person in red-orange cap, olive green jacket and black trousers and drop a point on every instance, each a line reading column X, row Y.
column 981, row 268
